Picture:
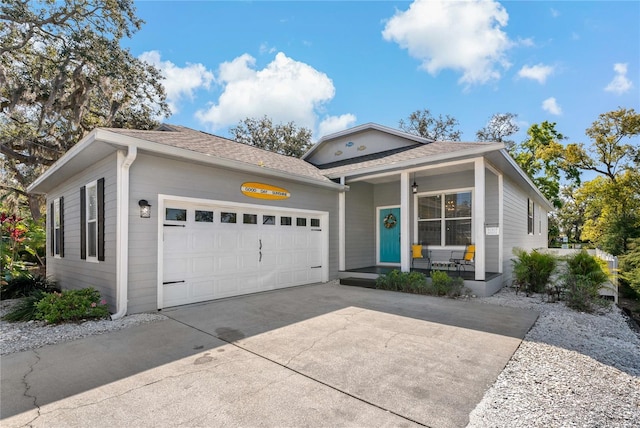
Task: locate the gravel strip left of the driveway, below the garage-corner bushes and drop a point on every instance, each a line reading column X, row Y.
column 21, row 336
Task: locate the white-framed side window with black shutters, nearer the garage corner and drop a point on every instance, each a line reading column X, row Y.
column 92, row 221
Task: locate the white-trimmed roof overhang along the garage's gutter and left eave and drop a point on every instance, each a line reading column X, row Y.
column 101, row 142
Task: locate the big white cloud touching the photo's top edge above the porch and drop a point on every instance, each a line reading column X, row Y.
column 464, row 36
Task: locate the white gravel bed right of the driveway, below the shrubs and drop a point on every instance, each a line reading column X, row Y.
column 572, row 370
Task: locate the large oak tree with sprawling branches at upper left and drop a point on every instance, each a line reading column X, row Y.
column 63, row 73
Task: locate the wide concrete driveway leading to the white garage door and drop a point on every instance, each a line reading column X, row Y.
column 320, row 355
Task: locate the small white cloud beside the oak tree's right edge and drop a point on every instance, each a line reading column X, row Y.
column 179, row 82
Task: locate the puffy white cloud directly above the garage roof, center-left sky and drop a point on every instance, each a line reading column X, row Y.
column 285, row 90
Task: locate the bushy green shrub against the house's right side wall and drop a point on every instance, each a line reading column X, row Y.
column 533, row 270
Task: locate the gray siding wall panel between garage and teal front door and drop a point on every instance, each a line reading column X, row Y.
column 360, row 234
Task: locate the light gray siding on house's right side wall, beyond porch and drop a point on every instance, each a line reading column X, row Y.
column 515, row 226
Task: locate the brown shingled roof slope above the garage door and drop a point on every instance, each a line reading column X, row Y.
column 212, row 145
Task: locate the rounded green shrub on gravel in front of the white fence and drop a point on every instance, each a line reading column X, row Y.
column 583, row 281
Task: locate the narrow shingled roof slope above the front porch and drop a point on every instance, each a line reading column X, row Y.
column 434, row 149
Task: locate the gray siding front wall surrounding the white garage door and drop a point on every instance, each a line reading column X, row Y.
column 152, row 175
